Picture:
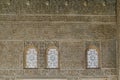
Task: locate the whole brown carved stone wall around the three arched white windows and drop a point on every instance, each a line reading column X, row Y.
column 72, row 33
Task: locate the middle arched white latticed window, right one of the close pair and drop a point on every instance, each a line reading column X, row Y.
column 52, row 58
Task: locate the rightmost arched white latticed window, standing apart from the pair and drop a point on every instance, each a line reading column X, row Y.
column 92, row 58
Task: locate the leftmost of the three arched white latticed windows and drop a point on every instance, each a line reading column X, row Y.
column 31, row 58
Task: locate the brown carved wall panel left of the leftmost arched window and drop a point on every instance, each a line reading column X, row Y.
column 10, row 54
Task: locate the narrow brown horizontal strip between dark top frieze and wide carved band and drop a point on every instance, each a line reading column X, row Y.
column 66, row 18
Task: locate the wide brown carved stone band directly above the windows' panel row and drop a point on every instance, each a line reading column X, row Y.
column 38, row 31
